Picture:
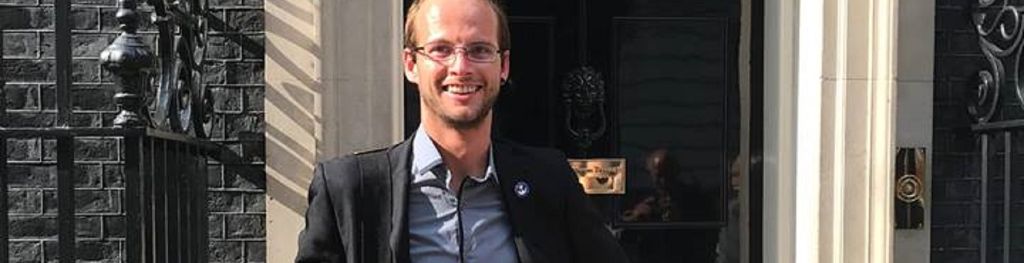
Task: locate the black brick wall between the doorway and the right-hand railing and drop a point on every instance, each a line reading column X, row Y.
column 957, row 172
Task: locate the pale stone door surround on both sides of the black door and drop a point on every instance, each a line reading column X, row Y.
column 852, row 171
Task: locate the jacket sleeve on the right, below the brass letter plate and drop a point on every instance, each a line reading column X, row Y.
column 591, row 241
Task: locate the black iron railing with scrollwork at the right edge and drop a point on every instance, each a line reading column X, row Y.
column 999, row 125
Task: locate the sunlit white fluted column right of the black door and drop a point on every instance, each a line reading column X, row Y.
column 830, row 96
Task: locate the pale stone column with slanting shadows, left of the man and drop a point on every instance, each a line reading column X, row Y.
column 334, row 86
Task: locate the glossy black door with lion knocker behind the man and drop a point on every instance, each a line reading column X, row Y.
column 661, row 90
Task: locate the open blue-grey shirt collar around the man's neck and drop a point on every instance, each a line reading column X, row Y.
column 426, row 158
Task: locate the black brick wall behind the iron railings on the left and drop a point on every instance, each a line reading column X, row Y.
column 235, row 65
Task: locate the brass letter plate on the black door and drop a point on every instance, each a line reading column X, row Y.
column 601, row 177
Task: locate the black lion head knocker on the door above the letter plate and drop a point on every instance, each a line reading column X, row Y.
column 583, row 93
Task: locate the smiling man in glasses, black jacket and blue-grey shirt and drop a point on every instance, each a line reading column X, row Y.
column 451, row 194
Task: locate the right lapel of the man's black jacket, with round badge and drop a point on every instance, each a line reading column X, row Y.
column 514, row 173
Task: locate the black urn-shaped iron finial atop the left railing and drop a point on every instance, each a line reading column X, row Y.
column 131, row 61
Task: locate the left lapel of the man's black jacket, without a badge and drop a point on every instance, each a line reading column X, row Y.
column 400, row 159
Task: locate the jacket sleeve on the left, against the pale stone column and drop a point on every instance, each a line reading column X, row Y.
column 320, row 242
